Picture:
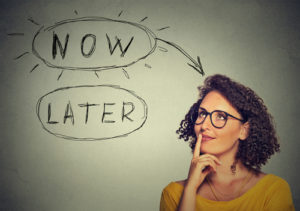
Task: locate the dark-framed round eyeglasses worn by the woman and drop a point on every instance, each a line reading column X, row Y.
column 218, row 118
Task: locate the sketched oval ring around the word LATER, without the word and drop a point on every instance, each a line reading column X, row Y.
column 145, row 107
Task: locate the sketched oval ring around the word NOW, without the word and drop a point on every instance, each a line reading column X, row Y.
column 149, row 33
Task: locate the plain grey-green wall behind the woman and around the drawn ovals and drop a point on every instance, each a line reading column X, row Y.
column 256, row 43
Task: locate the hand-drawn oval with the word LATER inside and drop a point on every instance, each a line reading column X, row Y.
column 91, row 112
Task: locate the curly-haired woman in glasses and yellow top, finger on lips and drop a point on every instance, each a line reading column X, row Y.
column 232, row 136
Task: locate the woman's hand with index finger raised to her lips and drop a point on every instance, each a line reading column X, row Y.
column 201, row 166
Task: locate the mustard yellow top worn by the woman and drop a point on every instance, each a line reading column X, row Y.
column 271, row 193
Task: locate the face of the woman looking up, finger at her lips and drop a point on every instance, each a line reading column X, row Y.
column 218, row 141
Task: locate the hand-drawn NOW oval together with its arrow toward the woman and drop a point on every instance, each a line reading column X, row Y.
column 97, row 49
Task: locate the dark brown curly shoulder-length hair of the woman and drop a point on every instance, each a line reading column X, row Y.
column 261, row 142
